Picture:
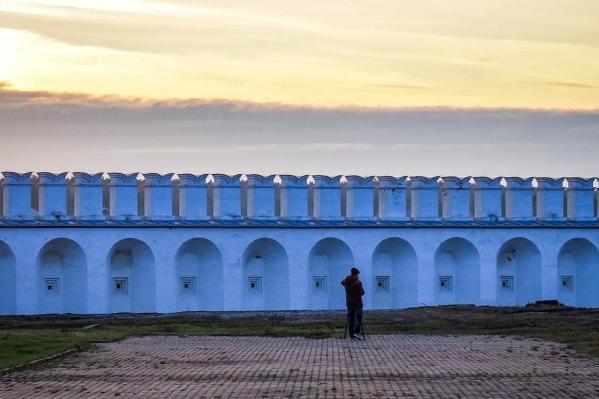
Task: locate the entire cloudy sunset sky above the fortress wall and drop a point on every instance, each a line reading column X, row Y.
column 337, row 87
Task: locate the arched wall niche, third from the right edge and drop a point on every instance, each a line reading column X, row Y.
column 457, row 273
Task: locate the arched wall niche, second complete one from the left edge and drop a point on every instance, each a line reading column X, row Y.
column 131, row 277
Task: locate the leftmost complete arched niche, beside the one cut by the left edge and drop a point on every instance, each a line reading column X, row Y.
column 62, row 285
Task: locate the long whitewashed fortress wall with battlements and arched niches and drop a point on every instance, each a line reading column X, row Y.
column 219, row 242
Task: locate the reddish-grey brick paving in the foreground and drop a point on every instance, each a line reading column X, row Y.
column 255, row 367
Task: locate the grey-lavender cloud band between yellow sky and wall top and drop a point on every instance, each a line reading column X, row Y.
column 73, row 131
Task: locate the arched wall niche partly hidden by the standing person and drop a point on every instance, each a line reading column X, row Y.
column 330, row 260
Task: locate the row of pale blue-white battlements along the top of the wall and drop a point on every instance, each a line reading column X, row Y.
column 196, row 197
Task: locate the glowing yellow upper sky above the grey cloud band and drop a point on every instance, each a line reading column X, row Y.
column 508, row 53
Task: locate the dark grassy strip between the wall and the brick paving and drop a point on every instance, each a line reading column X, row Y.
column 23, row 339
